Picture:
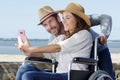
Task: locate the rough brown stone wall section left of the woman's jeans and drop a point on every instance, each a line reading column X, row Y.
column 8, row 70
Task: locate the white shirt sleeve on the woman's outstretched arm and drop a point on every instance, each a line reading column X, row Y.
column 76, row 42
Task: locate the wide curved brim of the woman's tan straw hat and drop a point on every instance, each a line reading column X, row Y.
column 78, row 13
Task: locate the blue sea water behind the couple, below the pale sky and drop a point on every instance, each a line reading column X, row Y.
column 7, row 46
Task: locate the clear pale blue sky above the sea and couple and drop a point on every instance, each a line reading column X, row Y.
column 23, row 14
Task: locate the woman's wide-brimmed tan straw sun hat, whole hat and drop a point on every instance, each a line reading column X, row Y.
column 76, row 9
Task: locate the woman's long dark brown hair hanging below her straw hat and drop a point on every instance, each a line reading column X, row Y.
column 81, row 25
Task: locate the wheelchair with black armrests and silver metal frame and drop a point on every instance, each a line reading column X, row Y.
column 93, row 73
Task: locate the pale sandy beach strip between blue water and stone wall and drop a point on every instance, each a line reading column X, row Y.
column 20, row 58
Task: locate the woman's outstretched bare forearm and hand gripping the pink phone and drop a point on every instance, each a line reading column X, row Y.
column 28, row 50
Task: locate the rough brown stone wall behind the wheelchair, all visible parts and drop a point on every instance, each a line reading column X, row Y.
column 8, row 70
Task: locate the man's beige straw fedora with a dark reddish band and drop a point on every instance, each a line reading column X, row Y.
column 45, row 12
